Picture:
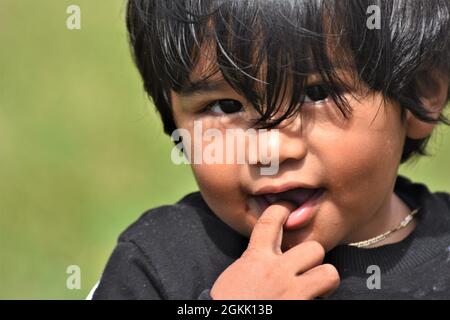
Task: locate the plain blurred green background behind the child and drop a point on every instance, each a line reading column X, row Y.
column 82, row 153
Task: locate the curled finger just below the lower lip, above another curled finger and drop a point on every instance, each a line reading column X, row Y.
column 304, row 256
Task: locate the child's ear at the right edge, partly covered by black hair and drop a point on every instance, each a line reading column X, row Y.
column 433, row 89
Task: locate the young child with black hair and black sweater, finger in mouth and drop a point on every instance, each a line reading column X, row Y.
column 354, row 88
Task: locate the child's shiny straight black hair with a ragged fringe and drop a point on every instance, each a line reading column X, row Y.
column 293, row 38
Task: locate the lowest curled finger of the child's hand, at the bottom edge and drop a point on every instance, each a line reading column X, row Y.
column 320, row 281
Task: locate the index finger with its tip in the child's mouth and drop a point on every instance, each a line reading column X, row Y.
column 268, row 230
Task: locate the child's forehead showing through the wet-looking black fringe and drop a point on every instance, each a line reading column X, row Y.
column 255, row 59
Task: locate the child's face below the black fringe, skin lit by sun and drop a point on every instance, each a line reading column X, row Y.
column 355, row 160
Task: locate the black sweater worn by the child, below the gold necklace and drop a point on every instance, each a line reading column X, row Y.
column 178, row 251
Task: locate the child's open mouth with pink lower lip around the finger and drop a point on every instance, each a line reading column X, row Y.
column 304, row 200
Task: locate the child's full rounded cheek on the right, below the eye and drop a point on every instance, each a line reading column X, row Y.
column 361, row 160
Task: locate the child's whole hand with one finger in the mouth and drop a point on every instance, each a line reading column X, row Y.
column 265, row 272
